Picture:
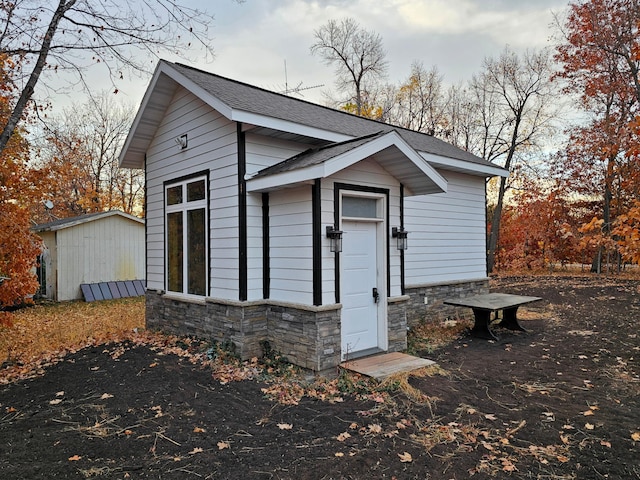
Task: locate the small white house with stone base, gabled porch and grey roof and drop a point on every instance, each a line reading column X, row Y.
column 248, row 192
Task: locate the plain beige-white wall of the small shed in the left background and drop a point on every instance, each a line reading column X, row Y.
column 103, row 250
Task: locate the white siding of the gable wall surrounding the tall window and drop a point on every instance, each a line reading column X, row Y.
column 212, row 147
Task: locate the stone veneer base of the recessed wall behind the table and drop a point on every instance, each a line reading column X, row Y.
column 434, row 309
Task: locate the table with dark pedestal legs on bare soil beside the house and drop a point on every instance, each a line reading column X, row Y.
column 484, row 305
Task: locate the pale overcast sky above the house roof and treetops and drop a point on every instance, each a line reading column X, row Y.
column 253, row 39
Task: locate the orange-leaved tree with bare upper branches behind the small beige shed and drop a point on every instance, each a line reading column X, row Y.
column 77, row 164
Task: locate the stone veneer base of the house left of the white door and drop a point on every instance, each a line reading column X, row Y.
column 307, row 336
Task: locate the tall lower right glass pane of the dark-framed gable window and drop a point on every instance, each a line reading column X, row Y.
column 196, row 269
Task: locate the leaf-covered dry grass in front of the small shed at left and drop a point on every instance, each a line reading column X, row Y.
column 48, row 328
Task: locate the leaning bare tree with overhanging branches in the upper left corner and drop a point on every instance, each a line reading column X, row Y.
column 72, row 35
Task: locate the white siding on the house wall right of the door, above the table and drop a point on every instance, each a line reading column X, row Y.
column 447, row 233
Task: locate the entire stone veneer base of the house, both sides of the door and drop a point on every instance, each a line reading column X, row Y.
column 308, row 336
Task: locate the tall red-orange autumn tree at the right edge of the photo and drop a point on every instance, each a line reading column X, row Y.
column 600, row 59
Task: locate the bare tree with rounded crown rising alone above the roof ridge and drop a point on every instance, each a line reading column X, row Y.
column 357, row 54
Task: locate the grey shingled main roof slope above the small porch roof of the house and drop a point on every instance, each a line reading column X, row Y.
column 256, row 100
